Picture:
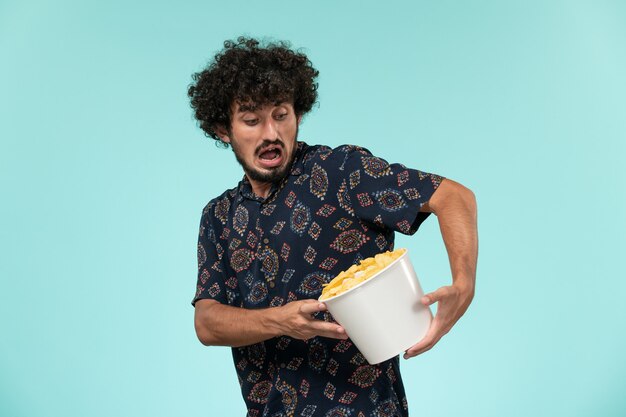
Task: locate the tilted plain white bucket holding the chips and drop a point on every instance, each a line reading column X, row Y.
column 384, row 315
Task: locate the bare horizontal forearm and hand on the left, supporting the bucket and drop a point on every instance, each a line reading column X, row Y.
column 222, row 325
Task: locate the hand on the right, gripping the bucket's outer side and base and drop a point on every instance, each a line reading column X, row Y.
column 453, row 302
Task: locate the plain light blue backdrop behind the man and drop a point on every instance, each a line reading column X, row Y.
column 104, row 174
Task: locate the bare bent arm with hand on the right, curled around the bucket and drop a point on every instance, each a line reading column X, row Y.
column 455, row 208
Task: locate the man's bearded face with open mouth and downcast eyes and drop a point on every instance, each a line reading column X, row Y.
column 263, row 140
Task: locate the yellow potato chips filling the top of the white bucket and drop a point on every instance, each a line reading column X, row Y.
column 359, row 273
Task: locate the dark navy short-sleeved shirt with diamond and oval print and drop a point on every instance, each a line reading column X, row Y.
column 336, row 207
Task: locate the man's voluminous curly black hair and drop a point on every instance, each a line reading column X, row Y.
column 249, row 72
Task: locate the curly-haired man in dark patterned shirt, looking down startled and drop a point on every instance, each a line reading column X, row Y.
column 300, row 215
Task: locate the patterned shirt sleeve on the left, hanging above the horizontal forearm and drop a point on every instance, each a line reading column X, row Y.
column 211, row 281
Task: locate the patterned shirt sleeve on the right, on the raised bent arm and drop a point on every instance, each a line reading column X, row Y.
column 387, row 195
